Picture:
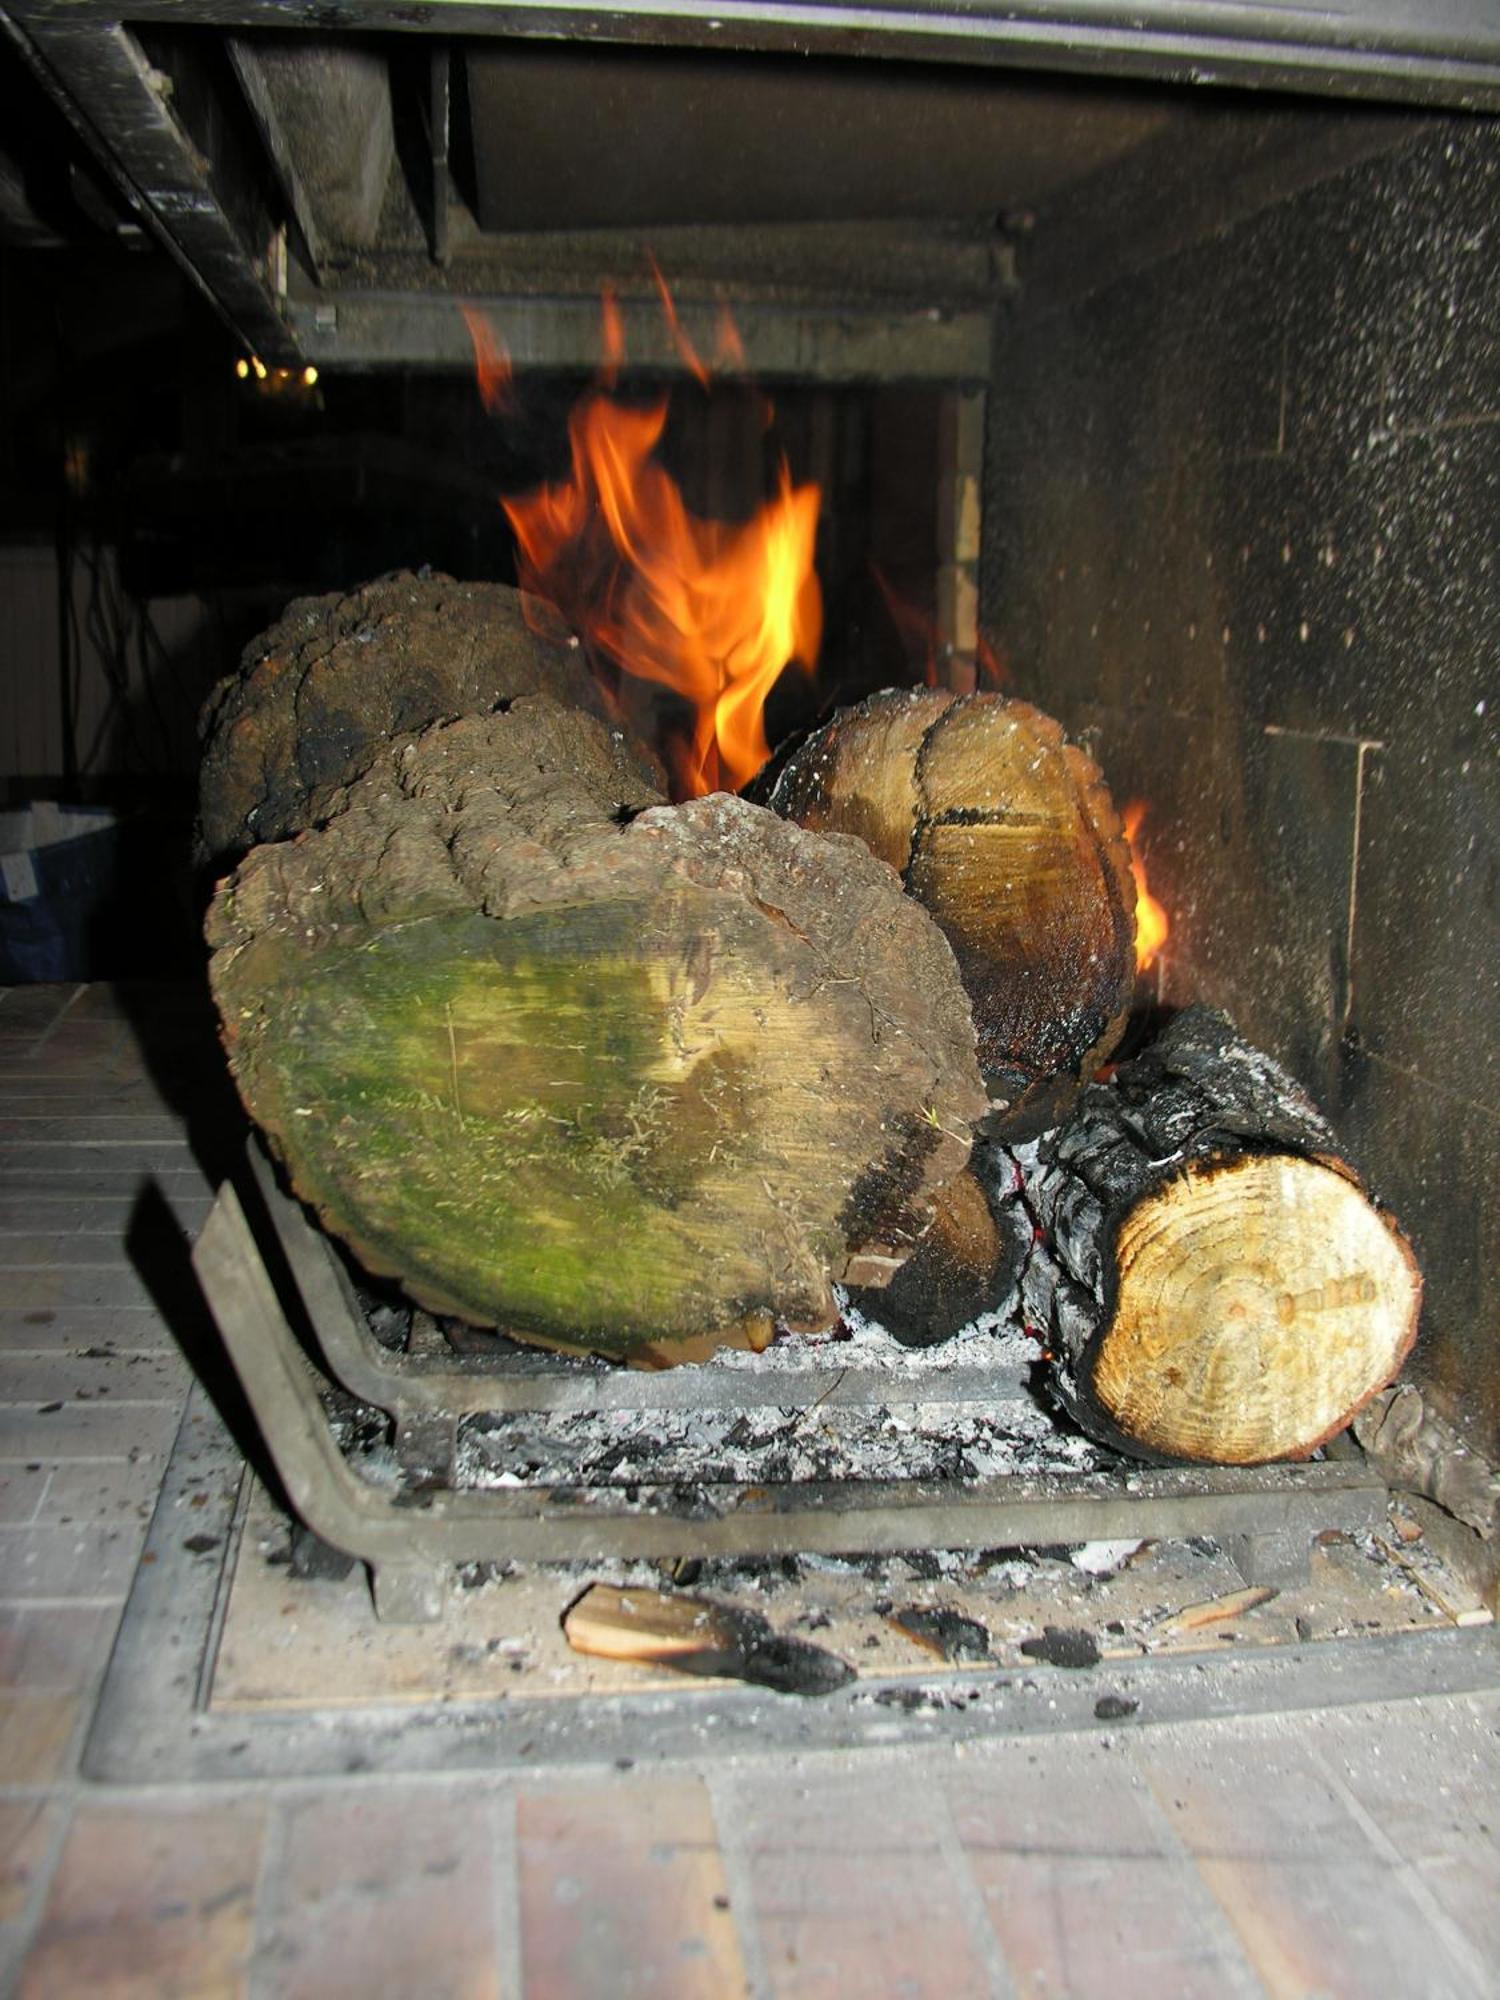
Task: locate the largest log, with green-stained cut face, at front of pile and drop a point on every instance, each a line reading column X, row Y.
column 605, row 1073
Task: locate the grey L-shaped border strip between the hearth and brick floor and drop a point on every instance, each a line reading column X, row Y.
column 159, row 1721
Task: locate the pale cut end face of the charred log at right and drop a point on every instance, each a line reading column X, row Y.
column 1261, row 1303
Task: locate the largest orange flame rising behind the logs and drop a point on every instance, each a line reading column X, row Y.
column 711, row 611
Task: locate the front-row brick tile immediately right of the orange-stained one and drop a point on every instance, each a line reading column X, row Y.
column 855, row 1891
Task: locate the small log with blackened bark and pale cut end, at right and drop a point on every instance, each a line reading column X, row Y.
column 1211, row 1277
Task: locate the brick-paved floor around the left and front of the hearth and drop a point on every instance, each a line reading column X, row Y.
column 1303, row 1855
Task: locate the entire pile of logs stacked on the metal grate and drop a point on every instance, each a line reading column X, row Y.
column 645, row 1081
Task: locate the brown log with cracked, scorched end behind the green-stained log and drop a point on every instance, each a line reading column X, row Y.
column 1009, row 837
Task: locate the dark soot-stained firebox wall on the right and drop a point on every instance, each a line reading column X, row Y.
column 1243, row 525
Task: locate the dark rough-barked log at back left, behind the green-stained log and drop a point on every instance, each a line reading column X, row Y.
column 317, row 695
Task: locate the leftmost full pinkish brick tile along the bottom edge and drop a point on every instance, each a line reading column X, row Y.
column 151, row 1903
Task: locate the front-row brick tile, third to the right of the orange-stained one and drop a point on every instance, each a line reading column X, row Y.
column 1317, row 1907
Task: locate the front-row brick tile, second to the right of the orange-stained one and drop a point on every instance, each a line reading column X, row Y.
column 1085, row 1883
